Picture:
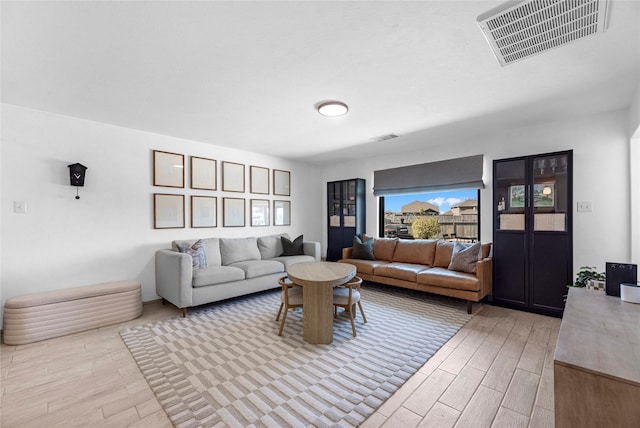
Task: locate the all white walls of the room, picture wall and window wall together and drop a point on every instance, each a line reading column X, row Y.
column 108, row 234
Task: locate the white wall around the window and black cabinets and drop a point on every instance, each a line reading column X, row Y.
column 601, row 175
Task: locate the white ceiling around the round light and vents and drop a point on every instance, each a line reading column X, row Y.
column 248, row 74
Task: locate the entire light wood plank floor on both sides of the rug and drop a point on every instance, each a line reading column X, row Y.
column 496, row 372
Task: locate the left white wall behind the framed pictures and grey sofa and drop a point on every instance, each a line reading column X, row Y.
column 108, row 233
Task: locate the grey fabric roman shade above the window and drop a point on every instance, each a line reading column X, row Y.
column 451, row 174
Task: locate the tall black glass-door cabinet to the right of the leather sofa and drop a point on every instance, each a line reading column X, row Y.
column 532, row 232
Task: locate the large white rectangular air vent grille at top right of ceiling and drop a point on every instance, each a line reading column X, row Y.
column 520, row 29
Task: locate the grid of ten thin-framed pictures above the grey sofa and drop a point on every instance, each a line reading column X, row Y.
column 172, row 207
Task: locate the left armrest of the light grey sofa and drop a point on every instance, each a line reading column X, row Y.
column 174, row 277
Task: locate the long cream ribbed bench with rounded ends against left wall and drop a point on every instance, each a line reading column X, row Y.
column 39, row 316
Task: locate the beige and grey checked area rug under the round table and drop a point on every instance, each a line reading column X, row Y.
column 225, row 364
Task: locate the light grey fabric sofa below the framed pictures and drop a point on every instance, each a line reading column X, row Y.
column 235, row 267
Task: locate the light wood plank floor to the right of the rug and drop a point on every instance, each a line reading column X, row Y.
column 496, row 372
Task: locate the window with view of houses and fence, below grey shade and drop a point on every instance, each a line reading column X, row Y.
column 452, row 215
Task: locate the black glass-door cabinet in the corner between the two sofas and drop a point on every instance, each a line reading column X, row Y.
column 346, row 214
